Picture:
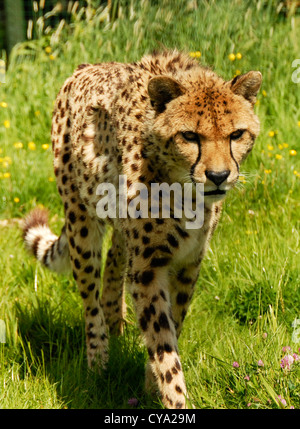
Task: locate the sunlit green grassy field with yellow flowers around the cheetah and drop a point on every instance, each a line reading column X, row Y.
column 242, row 318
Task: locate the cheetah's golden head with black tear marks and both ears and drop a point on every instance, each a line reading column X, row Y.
column 205, row 127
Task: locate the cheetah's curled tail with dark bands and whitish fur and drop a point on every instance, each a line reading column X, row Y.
column 51, row 250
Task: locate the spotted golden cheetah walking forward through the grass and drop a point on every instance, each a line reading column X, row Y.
column 163, row 119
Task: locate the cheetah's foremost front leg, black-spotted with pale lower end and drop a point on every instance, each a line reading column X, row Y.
column 153, row 308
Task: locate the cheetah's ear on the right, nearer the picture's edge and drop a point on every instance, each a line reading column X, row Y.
column 247, row 85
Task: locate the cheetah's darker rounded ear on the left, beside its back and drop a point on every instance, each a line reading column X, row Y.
column 163, row 89
